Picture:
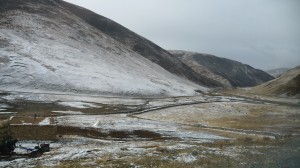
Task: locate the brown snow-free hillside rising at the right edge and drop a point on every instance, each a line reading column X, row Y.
column 287, row 84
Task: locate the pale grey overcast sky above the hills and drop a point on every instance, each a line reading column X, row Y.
column 262, row 33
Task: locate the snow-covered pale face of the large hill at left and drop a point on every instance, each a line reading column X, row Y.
column 46, row 48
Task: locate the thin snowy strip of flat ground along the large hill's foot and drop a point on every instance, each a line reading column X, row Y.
column 71, row 99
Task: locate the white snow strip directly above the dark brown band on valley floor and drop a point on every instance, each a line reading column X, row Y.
column 121, row 122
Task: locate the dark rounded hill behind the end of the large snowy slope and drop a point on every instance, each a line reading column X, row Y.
column 227, row 72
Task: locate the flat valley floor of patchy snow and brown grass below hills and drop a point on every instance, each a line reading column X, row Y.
column 199, row 131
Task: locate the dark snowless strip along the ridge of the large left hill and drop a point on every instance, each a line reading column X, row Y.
column 138, row 44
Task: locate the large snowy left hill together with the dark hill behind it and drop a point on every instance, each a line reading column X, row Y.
column 55, row 46
